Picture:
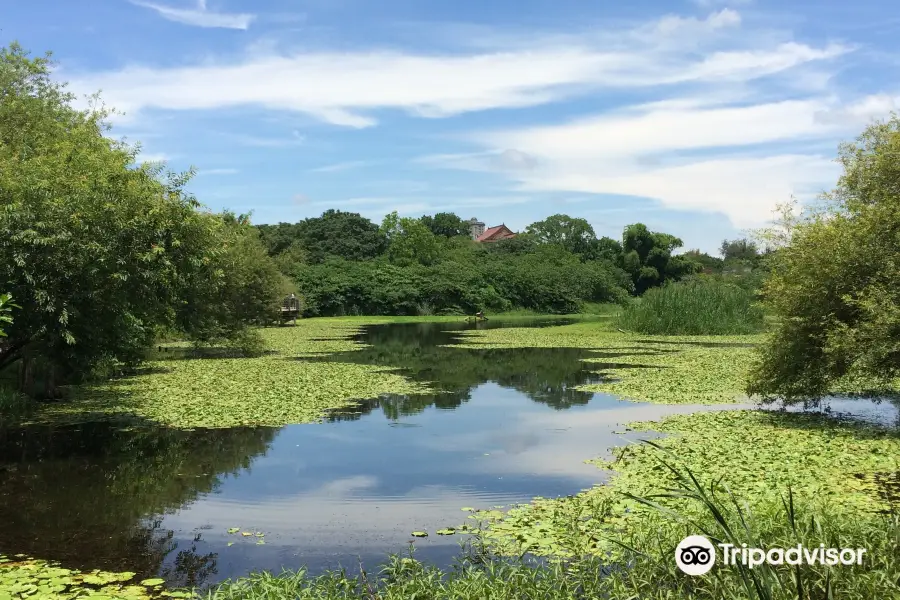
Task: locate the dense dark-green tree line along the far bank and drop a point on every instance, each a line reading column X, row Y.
column 345, row 264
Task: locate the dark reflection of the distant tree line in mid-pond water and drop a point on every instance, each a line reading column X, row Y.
column 420, row 351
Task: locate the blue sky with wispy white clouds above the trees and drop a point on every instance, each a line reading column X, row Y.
column 695, row 117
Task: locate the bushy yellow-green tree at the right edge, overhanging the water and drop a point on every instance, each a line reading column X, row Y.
column 835, row 281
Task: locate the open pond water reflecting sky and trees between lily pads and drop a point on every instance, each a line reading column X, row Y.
column 509, row 425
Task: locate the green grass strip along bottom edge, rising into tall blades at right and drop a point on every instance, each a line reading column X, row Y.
column 645, row 566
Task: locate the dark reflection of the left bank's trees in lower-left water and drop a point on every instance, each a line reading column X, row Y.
column 90, row 495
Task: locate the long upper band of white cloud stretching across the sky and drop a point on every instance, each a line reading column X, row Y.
column 341, row 87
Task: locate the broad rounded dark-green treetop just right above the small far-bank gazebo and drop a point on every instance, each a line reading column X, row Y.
column 343, row 234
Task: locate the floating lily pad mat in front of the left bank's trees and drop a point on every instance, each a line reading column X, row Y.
column 187, row 390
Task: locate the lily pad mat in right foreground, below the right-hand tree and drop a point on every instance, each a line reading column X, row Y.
column 756, row 455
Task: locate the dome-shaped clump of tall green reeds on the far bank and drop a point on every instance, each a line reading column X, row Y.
column 694, row 308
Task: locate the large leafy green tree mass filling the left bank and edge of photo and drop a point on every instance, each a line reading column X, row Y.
column 100, row 251
